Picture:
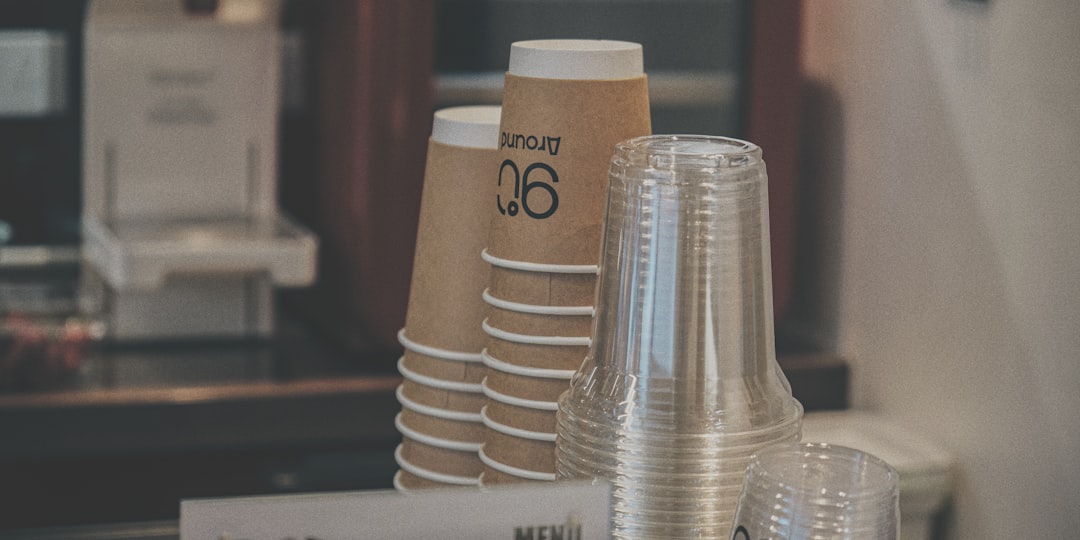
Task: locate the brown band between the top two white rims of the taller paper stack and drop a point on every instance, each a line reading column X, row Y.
column 544, row 289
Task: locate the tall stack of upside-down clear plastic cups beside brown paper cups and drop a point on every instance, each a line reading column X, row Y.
column 681, row 386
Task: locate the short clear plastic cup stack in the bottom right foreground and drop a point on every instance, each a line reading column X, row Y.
column 818, row 492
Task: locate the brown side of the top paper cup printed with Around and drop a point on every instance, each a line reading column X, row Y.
column 556, row 143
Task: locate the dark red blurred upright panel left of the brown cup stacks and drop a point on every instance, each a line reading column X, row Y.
column 374, row 96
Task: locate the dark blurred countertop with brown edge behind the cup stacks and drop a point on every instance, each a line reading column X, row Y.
column 139, row 428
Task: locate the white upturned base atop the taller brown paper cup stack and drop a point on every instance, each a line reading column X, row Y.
column 577, row 59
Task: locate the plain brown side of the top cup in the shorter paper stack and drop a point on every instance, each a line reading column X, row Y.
column 449, row 276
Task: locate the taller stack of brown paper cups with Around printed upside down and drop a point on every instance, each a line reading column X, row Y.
column 566, row 104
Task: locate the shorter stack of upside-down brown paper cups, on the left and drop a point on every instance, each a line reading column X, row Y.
column 441, row 395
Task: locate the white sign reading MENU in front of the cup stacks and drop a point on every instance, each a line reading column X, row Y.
column 560, row 511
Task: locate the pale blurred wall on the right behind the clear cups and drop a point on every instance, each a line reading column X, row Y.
column 955, row 179
